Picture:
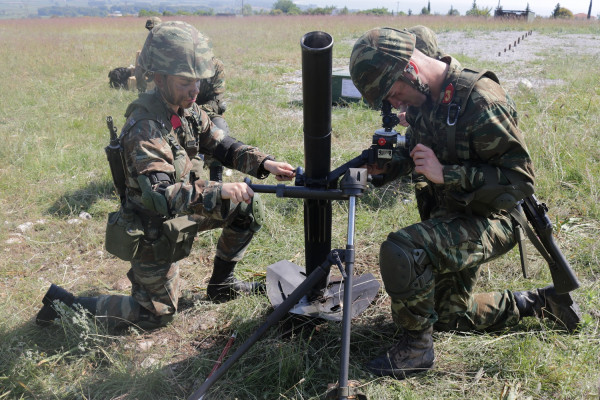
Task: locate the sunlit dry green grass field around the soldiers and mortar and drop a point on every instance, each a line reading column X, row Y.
column 54, row 97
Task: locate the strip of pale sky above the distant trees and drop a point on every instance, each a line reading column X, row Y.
column 541, row 7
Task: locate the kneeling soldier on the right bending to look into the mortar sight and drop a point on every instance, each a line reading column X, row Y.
column 472, row 157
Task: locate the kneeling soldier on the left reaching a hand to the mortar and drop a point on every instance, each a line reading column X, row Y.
column 166, row 202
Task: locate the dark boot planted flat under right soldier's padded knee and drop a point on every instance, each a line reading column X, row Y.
column 413, row 353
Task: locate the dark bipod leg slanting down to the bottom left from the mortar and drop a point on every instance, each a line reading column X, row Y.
column 310, row 281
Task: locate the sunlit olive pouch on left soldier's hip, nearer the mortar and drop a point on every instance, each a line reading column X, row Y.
column 176, row 241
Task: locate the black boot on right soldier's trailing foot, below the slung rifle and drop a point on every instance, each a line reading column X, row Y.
column 546, row 303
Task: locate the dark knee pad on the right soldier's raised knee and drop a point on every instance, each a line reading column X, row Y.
column 405, row 270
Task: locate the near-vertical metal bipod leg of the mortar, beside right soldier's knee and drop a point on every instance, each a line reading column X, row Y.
column 347, row 312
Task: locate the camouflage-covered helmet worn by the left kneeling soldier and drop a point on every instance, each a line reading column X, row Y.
column 177, row 48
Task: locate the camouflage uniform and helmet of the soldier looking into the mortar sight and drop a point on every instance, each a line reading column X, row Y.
column 441, row 256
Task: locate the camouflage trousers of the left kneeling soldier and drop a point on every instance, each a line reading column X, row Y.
column 155, row 285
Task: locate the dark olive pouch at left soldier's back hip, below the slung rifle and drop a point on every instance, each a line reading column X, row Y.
column 123, row 234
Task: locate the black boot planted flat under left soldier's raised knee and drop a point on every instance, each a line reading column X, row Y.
column 223, row 286
